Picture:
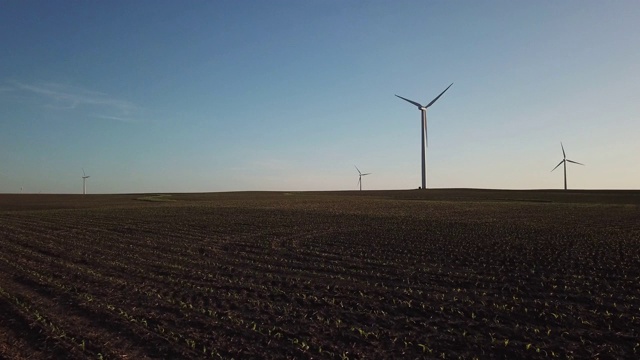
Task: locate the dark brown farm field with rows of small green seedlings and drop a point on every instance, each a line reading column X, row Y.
column 448, row 274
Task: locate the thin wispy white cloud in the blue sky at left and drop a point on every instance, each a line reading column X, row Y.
column 65, row 97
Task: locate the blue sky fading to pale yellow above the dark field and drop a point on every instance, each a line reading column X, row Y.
column 198, row 96
